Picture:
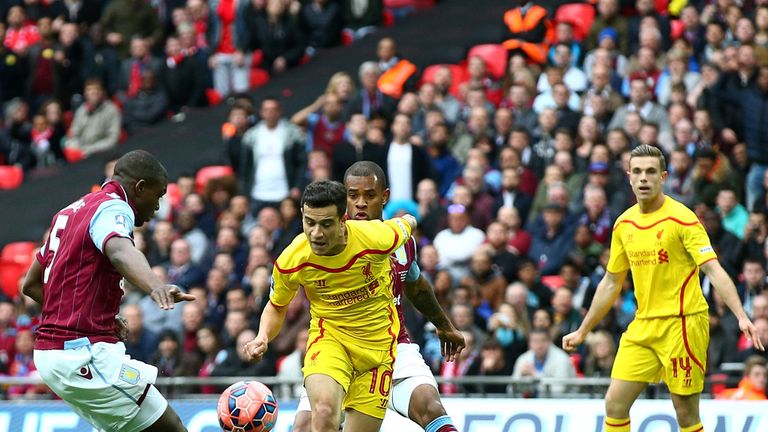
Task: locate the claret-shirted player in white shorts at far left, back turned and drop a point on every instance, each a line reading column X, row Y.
column 76, row 278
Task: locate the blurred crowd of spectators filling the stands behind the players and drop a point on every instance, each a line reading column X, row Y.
column 515, row 174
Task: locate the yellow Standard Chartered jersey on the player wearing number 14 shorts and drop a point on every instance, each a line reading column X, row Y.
column 664, row 250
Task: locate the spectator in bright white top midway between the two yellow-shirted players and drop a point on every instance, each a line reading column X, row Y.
column 456, row 244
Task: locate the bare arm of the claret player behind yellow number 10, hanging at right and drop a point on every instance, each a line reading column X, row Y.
column 422, row 296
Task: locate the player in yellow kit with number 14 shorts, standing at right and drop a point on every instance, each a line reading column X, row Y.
column 663, row 243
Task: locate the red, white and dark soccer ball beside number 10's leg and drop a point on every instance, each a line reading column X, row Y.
column 247, row 406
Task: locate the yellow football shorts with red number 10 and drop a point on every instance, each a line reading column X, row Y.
column 365, row 374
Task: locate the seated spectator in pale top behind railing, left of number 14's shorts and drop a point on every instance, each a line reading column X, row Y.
column 543, row 359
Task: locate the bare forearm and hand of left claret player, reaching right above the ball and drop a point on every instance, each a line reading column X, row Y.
column 133, row 266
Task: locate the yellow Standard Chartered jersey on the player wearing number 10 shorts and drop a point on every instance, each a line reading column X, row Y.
column 350, row 294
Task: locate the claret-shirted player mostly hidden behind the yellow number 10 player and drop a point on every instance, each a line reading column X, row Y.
column 414, row 394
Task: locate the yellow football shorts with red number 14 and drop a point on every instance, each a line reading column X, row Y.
column 671, row 349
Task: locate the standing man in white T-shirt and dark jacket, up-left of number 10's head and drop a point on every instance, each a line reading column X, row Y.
column 274, row 158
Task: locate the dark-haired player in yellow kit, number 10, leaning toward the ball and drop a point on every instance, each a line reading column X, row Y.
column 344, row 267
